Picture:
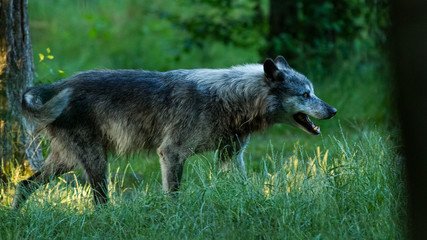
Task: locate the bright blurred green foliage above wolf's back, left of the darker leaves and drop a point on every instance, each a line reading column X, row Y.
column 137, row 34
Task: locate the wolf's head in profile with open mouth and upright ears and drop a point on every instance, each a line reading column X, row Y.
column 296, row 96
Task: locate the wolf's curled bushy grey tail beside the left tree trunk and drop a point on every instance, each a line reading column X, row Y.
column 42, row 113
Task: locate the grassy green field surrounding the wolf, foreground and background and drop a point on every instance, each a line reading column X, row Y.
column 347, row 183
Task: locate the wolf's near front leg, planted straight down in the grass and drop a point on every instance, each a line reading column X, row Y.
column 172, row 162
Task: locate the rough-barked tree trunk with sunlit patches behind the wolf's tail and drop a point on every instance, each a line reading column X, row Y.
column 16, row 75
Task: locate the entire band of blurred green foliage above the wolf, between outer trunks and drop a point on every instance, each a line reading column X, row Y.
column 164, row 35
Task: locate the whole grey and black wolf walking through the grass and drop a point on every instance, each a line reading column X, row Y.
column 178, row 113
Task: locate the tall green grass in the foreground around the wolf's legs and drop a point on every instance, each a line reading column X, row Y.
column 351, row 189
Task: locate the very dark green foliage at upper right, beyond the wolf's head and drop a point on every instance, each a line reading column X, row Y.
column 325, row 30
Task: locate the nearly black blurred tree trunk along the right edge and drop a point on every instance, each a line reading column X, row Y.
column 409, row 38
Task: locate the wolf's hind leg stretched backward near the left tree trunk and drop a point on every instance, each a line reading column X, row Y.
column 51, row 169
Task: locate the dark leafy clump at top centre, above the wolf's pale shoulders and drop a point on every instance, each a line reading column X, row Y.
column 231, row 22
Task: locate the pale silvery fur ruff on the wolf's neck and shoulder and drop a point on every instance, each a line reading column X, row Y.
column 243, row 97
